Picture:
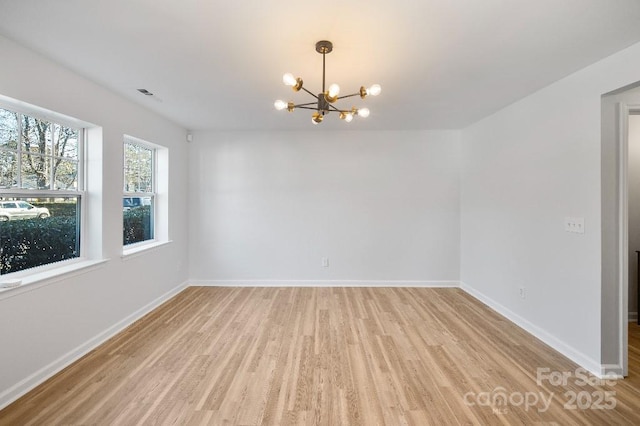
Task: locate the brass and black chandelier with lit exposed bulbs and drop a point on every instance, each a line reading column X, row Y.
column 324, row 101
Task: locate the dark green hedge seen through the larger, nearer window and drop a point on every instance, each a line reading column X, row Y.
column 34, row 242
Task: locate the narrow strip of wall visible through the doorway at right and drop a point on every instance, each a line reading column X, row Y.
column 634, row 209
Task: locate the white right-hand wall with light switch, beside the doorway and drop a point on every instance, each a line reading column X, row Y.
column 525, row 169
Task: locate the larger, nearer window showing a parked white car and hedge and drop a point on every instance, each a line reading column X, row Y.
column 41, row 190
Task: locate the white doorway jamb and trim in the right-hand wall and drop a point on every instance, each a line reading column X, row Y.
column 618, row 256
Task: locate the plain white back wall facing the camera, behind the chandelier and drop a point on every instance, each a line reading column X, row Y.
column 382, row 206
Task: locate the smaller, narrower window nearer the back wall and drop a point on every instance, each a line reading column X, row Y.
column 139, row 199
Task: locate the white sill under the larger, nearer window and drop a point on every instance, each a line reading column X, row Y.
column 33, row 281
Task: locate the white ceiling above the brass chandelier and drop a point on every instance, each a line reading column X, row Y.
column 219, row 64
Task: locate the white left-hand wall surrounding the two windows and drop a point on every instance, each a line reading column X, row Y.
column 44, row 328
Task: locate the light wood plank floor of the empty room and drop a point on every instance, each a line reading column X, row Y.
column 332, row 356
